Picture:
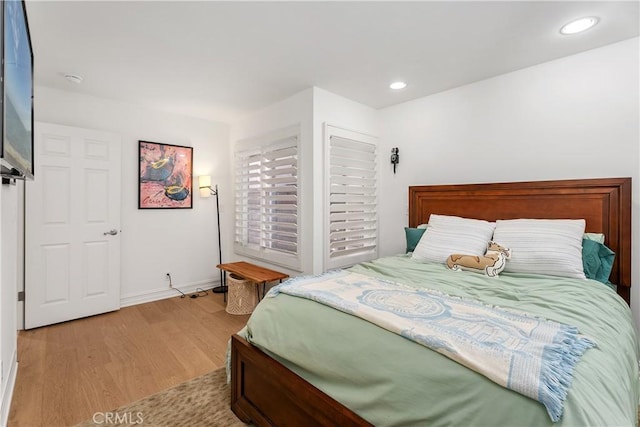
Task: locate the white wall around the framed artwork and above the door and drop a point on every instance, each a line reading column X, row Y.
column 154, row 242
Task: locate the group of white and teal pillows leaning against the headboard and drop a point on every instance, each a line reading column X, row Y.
column 555, row 247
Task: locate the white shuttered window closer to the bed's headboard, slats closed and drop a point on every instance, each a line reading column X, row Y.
column 352, row 198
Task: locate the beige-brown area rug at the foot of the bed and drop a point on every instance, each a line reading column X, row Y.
column 202, row 401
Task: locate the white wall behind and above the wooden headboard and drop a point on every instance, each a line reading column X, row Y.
column 575, row 117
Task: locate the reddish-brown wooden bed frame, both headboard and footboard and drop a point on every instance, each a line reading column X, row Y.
column 265, row 392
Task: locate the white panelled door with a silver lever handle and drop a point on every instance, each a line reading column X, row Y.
column 72, row 240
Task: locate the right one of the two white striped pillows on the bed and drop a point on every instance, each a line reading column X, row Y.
column 543, row 246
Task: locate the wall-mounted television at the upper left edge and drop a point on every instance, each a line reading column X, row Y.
column 16, row 140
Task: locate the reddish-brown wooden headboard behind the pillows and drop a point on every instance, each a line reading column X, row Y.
column 605, row 204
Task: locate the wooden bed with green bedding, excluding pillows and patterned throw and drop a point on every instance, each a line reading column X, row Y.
column 303, row 363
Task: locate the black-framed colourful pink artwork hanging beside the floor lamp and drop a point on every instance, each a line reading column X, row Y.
column 166, row 176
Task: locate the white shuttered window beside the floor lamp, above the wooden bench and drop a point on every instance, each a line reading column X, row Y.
column 266, row 193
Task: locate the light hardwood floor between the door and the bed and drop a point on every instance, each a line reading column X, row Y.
column 69, row 371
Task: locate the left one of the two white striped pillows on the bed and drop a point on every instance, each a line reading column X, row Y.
column 448, row 235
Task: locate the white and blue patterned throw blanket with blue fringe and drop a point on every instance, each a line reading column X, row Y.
column 532, row 356
